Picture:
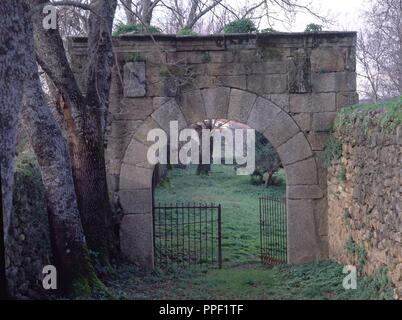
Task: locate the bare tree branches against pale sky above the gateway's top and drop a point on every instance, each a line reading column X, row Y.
column 211, row 16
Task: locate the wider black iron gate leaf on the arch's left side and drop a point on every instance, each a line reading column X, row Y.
column 187, row 235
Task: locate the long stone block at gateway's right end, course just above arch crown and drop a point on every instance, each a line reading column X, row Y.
column 334, row 82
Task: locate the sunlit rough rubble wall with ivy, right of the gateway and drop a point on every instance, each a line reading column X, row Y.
column 365, row 197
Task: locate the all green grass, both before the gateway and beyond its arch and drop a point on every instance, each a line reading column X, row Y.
column 242, row 276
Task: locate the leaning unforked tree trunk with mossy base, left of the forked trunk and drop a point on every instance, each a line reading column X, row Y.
column 76, row 274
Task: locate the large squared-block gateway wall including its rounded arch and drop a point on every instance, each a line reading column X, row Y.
column 287, row 86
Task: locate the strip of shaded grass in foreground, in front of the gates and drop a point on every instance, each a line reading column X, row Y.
column 313, row 281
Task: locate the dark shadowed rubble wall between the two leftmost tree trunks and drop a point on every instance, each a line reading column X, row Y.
column 28, row 245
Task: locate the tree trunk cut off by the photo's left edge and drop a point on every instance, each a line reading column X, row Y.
column 12, row 74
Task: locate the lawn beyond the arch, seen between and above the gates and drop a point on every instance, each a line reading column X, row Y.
column 239, row 200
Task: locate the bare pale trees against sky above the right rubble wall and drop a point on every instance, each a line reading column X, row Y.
column 379, row 50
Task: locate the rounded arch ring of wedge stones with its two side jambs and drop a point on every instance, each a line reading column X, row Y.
column 303, row 190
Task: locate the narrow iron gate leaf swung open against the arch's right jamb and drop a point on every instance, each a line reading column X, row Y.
column 273, row 230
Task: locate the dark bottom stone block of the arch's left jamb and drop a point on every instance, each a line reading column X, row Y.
column 136, row 239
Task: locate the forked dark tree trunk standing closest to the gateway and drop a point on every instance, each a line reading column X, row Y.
column 85, row 117
